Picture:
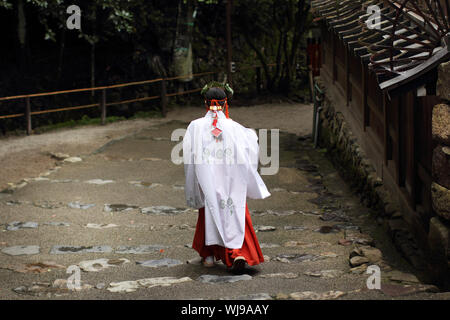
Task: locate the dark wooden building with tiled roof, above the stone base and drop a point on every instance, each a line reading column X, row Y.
column 379, row 66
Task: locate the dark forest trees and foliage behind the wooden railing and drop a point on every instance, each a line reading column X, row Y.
column 128, row 40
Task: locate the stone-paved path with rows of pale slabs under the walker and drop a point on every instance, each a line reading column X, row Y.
column 118, row 216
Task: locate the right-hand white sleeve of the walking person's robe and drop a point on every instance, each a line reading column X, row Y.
column 256, row 189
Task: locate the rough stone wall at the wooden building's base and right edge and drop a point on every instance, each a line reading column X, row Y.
column 353, row 163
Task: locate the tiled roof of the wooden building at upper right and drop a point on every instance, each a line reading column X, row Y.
column 399, row 40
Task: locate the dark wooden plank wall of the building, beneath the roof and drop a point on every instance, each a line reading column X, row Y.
column 394, row 128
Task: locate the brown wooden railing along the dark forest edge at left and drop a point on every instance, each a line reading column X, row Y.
column 103, row 103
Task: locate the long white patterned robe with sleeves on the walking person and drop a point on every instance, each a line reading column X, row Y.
column 220, row 174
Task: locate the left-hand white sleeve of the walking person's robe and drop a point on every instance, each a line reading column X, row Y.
column 193, row 193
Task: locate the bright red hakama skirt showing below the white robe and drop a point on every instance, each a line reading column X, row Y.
column 250, row 249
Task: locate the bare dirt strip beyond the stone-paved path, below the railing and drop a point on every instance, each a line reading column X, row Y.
column 27, row 156
